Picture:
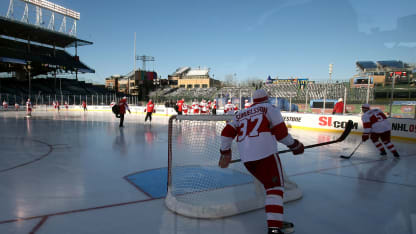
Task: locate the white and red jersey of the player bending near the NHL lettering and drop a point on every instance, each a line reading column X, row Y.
column 375, row 120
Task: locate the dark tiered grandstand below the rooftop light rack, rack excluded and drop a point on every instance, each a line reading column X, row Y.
column 32, row 53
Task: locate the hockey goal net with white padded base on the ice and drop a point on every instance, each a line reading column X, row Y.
column 197, row 186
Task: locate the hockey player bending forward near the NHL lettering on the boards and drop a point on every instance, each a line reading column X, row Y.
column 376, row 126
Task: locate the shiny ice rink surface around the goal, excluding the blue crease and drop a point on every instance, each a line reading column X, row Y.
column 64, row 173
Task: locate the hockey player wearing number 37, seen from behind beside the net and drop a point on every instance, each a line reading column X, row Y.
column 257, row 128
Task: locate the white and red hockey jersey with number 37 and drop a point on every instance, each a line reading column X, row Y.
column 257, row 128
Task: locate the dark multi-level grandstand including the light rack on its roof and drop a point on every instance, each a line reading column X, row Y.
column 29, row 51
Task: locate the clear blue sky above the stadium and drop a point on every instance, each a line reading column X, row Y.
column 248, row 40
